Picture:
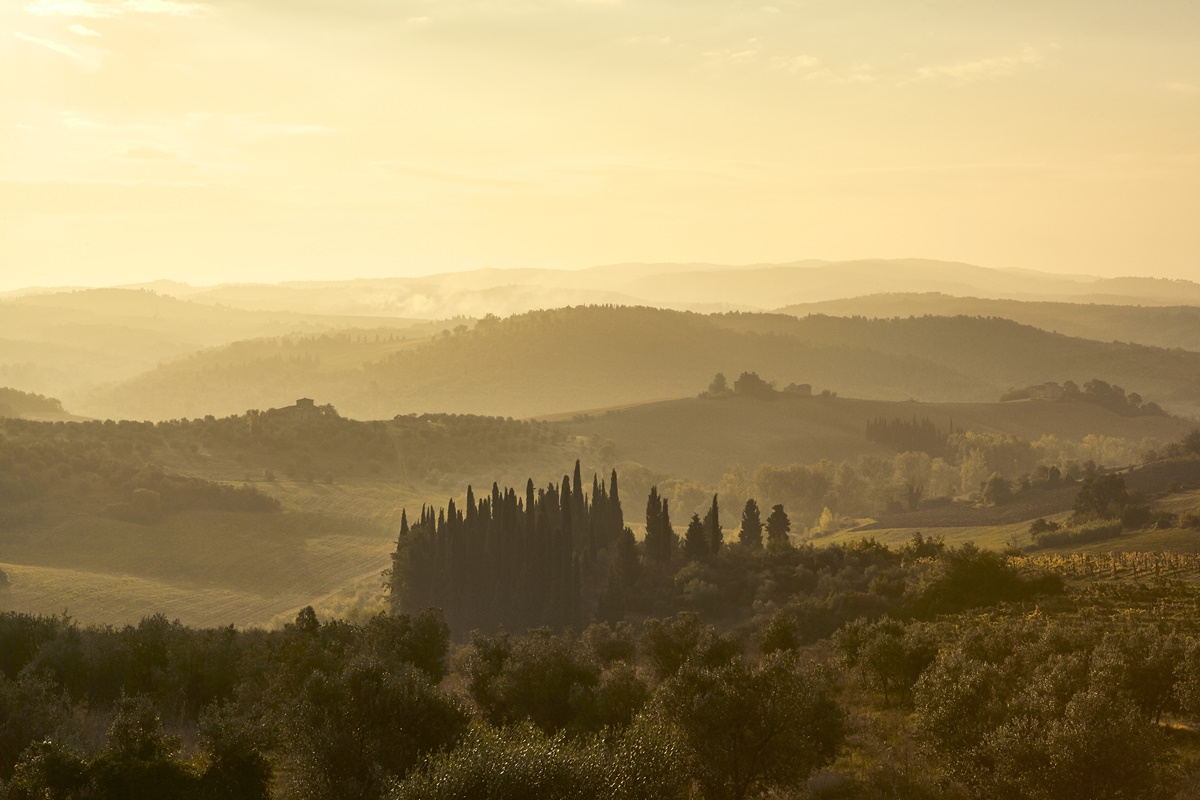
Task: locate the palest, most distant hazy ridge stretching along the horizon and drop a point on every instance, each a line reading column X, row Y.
column 693, row 287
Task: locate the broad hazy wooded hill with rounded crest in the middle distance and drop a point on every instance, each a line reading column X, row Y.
column 533, row 364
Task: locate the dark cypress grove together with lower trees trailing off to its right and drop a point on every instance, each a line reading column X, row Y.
column 561, row 557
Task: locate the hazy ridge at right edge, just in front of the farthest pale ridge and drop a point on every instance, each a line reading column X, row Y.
column 1168, row 327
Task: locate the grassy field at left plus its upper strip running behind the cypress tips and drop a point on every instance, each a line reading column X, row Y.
column 327, row 548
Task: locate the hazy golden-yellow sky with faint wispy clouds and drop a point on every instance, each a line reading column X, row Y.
column 273, row 140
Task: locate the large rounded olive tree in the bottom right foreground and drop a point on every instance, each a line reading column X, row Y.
column 1013, row 712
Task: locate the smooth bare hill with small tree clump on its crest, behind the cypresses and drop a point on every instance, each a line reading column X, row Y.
column 701, row 438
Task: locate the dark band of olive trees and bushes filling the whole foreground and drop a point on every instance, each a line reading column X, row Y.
column 1010, row 703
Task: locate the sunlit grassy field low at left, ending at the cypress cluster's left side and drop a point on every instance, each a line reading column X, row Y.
column 209, row 568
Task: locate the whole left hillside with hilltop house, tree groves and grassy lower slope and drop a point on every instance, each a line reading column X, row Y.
column 238, row 520
